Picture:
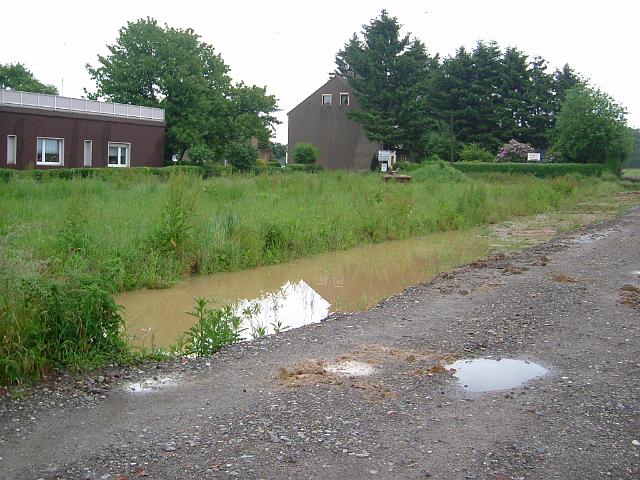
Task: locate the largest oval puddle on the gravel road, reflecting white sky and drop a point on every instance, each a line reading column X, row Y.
column 488, row 375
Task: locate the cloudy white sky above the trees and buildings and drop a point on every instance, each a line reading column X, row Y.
column 290, row 46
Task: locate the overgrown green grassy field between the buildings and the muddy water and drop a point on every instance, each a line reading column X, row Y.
column 66, row 245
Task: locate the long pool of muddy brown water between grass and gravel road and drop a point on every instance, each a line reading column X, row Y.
column 302, row 291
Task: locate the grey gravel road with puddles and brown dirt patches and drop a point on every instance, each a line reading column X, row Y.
column 277, row 408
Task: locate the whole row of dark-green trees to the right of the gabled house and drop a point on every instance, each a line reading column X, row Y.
column 486, row 96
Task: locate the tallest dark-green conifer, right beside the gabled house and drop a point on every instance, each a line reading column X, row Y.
column 388, row 73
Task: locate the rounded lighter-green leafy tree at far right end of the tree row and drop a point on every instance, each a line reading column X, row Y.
column 591, row 128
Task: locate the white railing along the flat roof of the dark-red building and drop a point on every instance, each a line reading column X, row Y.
column 43, row 101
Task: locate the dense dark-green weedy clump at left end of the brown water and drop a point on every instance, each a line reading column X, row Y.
column 70, row 322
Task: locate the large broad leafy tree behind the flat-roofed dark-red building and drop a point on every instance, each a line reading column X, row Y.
column 172, row 69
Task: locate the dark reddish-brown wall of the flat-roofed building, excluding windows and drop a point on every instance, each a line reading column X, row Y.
column 146, row 137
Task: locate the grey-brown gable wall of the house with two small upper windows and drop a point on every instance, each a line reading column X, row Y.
column 340, row 140
